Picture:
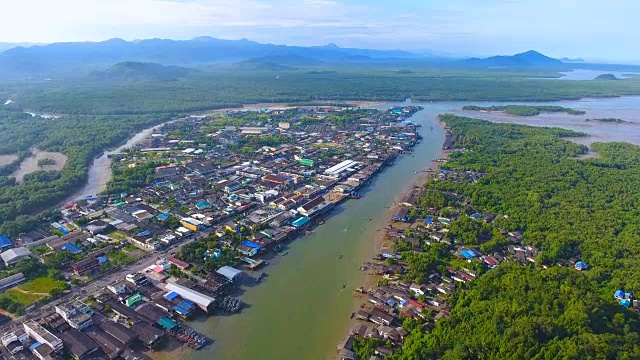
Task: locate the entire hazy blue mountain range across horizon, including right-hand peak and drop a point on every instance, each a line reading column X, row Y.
column 81, row 58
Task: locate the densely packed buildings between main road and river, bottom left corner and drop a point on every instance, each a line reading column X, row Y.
column 140, row 311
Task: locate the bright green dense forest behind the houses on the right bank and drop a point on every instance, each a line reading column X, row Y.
column 568, row 208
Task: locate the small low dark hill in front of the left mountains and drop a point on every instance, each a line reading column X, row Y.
column 131, row 70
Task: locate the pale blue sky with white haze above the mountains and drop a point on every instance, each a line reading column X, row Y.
column 593, row 29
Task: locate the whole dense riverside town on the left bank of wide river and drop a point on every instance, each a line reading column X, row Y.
column 191, row 215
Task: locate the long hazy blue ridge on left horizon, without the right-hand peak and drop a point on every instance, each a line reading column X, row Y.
column 79, row 56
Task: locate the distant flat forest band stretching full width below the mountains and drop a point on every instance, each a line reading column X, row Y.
column 222, row 88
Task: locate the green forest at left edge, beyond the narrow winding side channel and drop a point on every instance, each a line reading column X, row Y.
column 80, row 138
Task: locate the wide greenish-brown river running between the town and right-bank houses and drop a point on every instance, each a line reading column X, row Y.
column 301, row 311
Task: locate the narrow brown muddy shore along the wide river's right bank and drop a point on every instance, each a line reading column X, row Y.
column 379, row 241
